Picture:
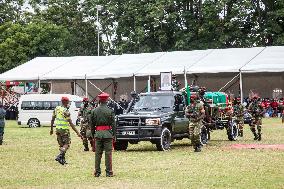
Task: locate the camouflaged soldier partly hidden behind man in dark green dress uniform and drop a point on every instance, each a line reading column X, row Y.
column 85, row 131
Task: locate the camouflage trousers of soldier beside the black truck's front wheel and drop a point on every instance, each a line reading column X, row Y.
column 194, row 133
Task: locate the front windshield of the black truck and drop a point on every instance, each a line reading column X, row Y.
column 150, row 102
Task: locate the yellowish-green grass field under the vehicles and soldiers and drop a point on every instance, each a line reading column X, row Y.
column 27, row 161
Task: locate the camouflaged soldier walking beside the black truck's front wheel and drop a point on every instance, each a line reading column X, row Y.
column 196, row 113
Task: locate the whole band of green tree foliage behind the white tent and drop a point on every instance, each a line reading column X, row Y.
column 69, row 27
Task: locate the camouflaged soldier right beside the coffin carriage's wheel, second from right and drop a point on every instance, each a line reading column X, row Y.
column 239, row 113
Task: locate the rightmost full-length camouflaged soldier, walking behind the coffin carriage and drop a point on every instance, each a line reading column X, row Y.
column 257, row 112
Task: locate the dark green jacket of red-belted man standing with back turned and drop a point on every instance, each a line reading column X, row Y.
column 102, row 116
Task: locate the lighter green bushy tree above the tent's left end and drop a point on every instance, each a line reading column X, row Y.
column 20, row 43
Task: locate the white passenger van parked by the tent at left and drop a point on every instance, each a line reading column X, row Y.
column 36, row 110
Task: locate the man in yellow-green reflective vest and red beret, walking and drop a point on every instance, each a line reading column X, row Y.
column 61, row 117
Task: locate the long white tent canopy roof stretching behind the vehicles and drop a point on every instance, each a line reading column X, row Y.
column 233, row 60
